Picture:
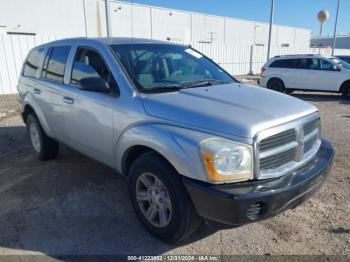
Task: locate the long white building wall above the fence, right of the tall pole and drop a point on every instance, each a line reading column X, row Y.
column 160, row 23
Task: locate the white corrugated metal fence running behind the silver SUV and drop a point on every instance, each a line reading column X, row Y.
column 237, row 59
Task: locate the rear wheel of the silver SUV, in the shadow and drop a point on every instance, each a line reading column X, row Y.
column 45, row 148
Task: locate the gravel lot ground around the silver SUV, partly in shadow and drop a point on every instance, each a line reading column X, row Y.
column 74, row 205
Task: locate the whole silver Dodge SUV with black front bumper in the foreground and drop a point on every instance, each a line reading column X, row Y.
column 195, row 144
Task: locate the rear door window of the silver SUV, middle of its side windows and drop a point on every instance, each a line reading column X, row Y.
column 55, row 63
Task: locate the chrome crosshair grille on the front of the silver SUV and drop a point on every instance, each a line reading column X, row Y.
column 284, row 148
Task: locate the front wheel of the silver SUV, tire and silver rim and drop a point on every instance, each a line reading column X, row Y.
column 148, row 175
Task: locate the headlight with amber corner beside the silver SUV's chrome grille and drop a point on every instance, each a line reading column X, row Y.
column 227, row 161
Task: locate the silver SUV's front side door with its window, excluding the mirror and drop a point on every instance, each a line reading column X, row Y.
column 90, row 123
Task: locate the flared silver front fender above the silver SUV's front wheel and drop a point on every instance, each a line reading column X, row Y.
column 180, row 146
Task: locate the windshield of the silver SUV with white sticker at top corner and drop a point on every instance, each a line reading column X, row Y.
column 166, row 67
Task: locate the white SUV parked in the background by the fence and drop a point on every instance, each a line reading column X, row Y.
column 306, row 72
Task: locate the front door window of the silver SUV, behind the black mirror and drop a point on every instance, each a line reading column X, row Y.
column 89, row 63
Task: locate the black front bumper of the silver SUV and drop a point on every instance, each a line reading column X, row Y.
column 246, row 202
